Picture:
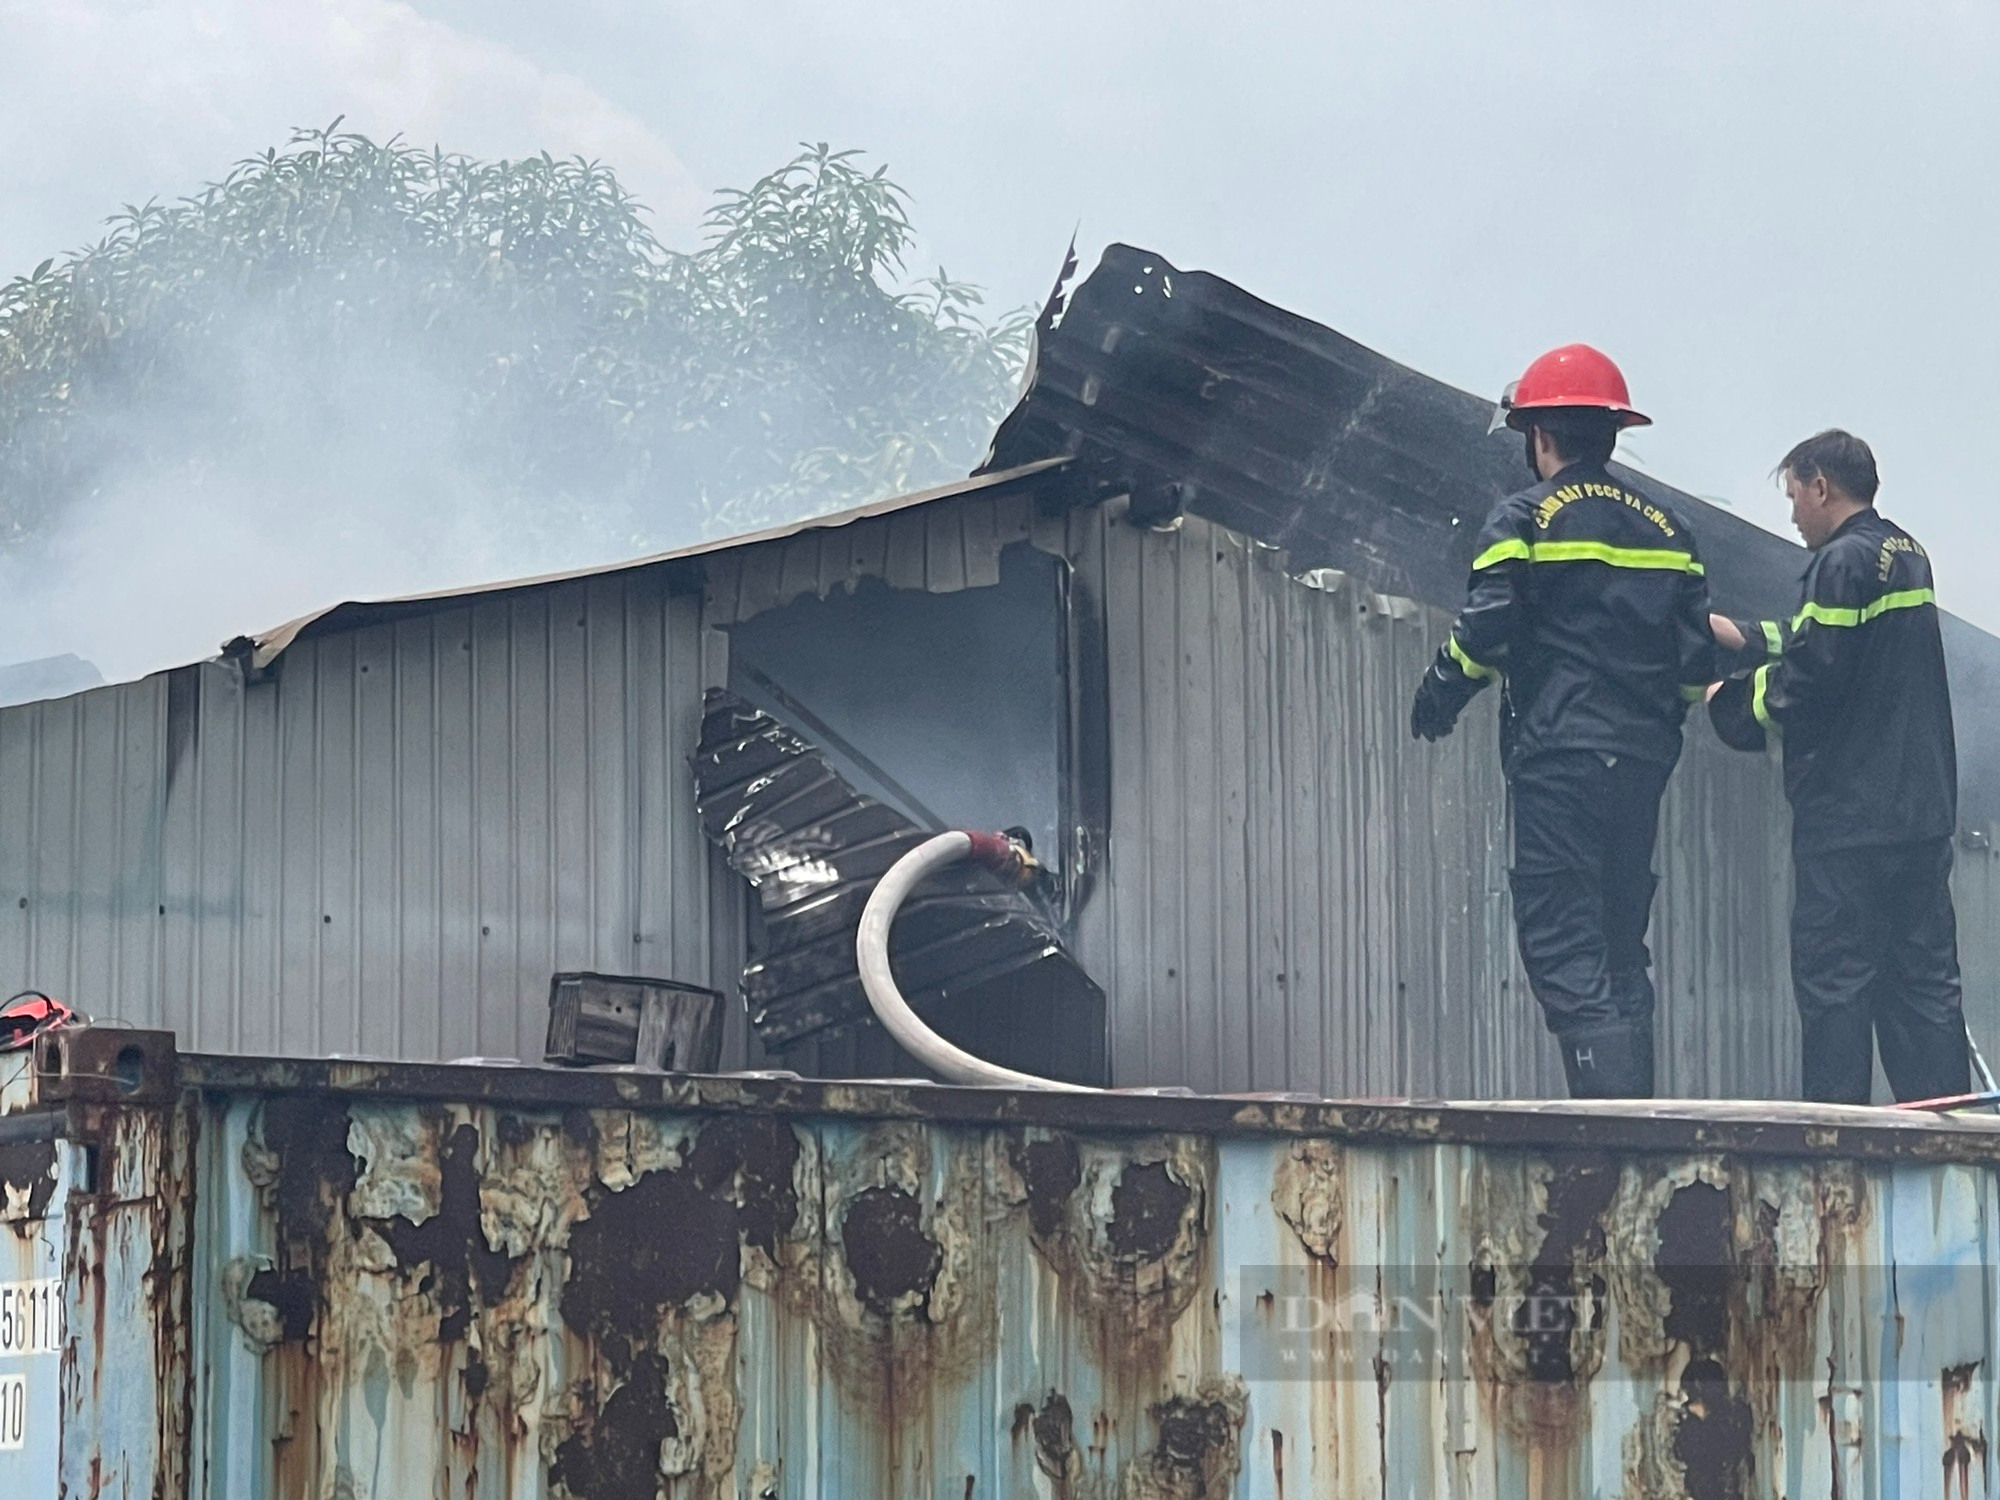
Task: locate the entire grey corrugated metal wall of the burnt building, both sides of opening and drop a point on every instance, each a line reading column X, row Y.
column 391, row 847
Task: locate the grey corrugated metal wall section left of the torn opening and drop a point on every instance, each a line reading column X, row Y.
column 387, row 849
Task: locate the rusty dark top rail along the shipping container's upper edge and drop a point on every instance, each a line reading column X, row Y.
column 1543, row 1127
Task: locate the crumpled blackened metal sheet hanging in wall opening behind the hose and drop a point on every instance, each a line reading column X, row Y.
column 813, row 849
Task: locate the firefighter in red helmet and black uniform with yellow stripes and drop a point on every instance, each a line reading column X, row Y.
column 1591, row 611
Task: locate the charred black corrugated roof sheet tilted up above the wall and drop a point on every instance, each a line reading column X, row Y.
column 1201, row 399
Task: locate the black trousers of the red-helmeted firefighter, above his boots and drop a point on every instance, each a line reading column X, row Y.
column 1585, row 827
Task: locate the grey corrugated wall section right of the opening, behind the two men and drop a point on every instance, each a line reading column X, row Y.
column 1301, row 897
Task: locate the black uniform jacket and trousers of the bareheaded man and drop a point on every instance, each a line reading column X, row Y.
column 1855, row 691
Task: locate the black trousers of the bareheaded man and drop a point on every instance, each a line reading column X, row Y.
column 1875, row 963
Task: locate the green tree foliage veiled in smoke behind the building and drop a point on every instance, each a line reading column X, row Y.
column 519, row 319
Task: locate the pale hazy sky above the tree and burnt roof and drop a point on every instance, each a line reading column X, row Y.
column 1777, row 217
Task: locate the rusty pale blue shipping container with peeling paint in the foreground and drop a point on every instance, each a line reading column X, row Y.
column 235, row 1277
